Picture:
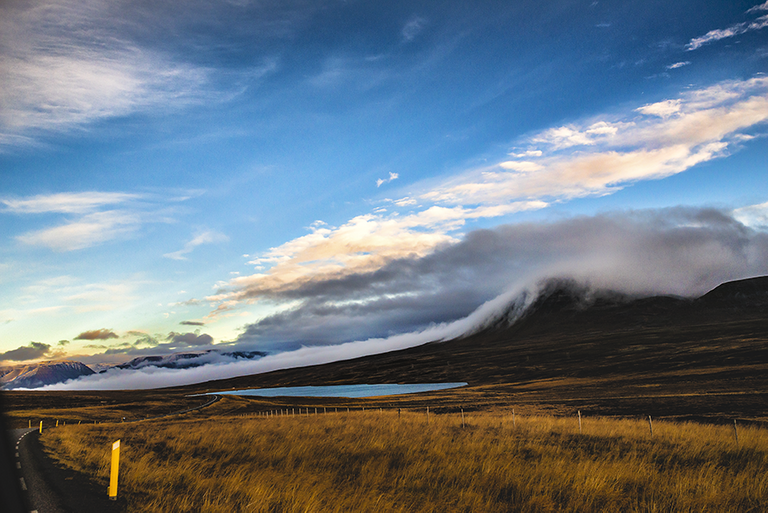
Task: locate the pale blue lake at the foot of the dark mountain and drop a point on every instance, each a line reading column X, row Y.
column 351, row 391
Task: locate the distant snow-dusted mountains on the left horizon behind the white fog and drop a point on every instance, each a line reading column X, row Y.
column 37, row 375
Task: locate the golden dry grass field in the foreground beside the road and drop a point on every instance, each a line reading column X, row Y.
column 376, row 461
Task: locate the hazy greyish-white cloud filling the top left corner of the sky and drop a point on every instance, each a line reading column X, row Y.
column 68, row 63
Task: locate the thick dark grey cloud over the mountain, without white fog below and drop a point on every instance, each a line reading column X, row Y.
column 679, row 251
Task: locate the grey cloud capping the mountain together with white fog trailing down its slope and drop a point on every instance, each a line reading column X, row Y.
column 461, row 287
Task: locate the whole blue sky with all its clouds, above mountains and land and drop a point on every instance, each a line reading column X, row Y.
column 328, row 179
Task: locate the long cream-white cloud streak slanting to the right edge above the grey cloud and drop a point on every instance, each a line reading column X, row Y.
column 596, row 157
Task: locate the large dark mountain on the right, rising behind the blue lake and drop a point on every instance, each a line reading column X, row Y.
column 596, row 349
